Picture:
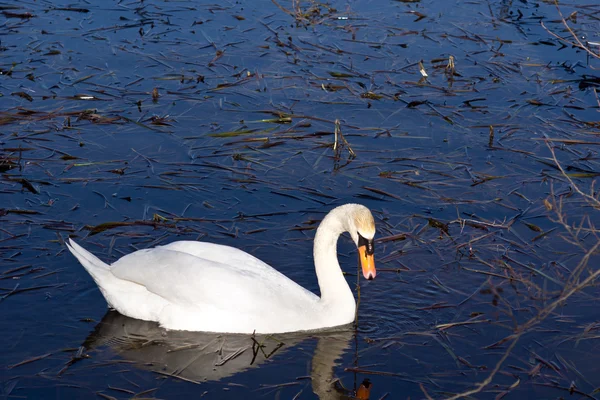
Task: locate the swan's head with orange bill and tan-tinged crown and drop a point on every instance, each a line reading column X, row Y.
column 362, row 230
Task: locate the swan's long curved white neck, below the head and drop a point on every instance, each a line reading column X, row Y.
column 335, row 291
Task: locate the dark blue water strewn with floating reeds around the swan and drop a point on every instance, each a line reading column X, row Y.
column 84, row 152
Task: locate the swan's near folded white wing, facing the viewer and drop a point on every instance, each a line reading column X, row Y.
column 187, row 280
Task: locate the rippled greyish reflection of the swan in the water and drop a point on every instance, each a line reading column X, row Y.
column 202, row 357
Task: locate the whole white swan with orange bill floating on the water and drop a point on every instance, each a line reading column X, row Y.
column 197, row 286
